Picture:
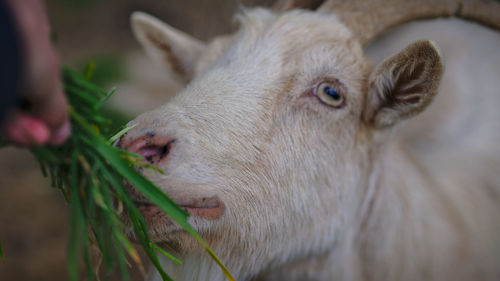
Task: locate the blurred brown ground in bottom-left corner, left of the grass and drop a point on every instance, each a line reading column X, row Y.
column 33, row 224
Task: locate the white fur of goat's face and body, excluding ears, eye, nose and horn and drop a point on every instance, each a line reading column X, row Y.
column 311, row 192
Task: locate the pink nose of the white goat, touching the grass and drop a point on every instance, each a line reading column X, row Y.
column 153, row 147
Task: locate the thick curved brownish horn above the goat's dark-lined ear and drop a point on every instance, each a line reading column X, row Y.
column 369, row 18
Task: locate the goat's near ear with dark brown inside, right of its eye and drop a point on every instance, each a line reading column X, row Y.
column 404, row 85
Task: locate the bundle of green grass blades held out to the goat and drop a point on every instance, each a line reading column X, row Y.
column 90, row 172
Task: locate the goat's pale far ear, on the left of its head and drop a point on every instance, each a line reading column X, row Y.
column 163, row 43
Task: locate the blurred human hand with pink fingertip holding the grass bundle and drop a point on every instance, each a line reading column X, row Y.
column 47, row 121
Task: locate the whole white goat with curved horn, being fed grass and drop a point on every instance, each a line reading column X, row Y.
column 283, row 149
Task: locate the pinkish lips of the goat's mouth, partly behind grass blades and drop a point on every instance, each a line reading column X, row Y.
column 205, row 207
